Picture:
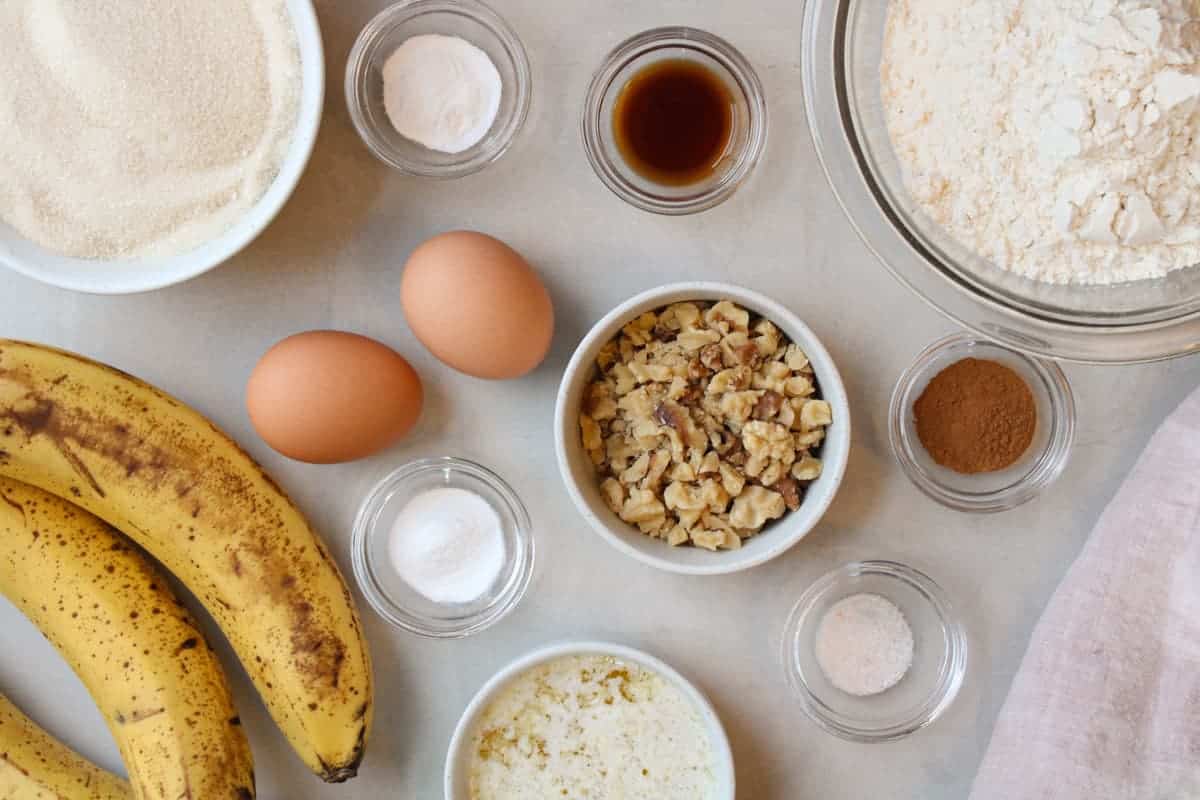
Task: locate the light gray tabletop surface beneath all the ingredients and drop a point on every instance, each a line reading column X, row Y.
column 333, row 261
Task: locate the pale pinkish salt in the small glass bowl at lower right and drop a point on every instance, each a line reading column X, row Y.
column 865, row 645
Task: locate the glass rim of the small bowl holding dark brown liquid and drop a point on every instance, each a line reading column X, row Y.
column 640, row 45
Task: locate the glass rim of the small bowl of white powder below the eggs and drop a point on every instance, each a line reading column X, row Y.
column 404, row 618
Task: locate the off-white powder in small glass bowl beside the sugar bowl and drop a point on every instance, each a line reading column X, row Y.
column 441, row 92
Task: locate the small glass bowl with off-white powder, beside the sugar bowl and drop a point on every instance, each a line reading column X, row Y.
column 439, row 88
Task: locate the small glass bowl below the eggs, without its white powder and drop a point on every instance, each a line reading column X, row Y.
column 395, row 600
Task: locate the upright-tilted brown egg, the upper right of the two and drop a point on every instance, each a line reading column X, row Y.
column 477, row 305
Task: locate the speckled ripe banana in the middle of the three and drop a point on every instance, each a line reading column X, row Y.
column 112, row 616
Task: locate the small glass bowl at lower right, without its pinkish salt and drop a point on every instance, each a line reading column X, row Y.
column 933, row 682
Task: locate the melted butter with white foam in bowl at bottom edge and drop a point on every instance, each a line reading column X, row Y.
column 591, row 727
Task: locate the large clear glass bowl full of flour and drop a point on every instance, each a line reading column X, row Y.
column 997, row 169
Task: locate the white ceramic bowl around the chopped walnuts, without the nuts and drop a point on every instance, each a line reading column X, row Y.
column 585, row 490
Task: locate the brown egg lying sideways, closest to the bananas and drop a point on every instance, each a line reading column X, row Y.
column 327, row 398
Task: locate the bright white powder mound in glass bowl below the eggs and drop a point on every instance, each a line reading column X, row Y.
column 448, row 545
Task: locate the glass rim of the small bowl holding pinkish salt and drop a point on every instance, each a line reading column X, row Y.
column 951, row 681
